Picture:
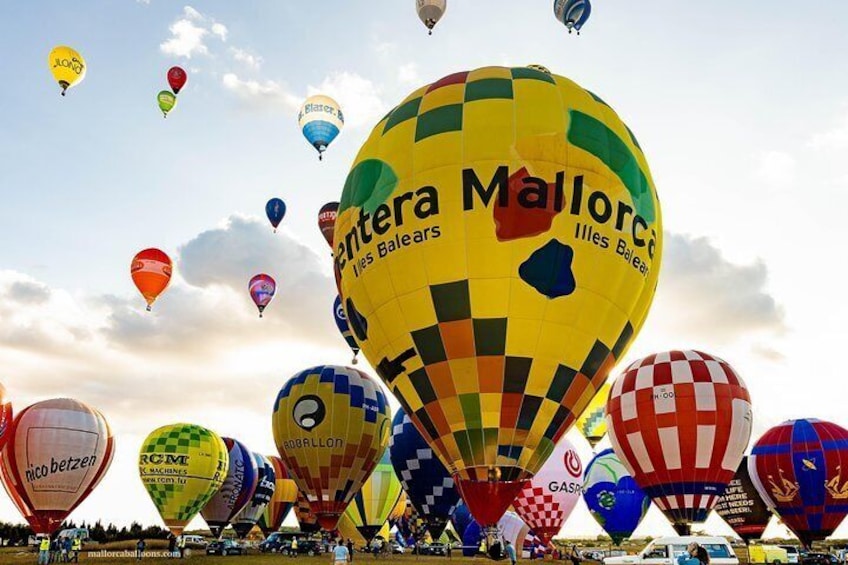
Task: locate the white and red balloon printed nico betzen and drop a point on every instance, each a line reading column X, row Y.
column 57, row 453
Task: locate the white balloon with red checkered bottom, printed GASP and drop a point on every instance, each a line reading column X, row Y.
column 548, row 499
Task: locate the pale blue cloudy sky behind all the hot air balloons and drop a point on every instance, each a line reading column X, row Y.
column 740, row 108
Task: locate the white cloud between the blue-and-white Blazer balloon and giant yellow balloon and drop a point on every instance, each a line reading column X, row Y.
column 359, row 97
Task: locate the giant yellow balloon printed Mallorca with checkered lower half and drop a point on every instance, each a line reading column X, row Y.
column 497, row 248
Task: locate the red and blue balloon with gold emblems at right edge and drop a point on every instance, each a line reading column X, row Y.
column 796, row 468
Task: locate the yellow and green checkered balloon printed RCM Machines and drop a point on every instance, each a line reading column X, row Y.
column 182, row 466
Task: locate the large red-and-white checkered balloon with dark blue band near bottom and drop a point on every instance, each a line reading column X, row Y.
column 680, row 422
